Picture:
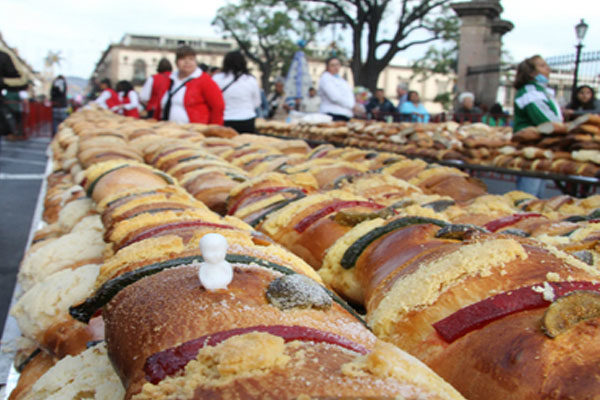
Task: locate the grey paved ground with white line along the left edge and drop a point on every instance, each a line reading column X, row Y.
column 22, row 165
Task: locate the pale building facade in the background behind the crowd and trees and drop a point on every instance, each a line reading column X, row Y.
column 136, row 57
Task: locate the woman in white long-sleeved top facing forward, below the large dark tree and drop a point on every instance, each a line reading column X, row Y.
column 336, row 94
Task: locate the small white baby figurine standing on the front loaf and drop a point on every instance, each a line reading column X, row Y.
column 214, row 272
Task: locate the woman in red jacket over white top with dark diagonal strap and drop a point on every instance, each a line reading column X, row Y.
column 192, row 96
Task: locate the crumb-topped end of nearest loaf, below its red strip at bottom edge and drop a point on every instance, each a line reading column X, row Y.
column 299, row 370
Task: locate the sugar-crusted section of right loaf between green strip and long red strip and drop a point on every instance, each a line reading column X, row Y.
column 498, row 269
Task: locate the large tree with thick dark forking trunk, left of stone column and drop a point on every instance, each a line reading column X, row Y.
column 381, row 29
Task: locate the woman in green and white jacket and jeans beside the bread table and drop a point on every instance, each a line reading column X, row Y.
column 534, row 104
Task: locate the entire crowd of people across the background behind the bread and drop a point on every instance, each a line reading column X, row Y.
column 231, row 96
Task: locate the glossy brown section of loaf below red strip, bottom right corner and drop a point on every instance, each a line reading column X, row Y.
column 512, row 359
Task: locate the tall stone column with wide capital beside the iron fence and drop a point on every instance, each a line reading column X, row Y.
column 480, row 46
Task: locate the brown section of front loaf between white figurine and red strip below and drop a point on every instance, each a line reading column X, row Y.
column 171, row 307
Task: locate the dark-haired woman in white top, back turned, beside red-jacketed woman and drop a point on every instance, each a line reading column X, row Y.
column 240, row 92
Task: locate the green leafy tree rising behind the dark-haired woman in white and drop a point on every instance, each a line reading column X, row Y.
column 266, row 31
